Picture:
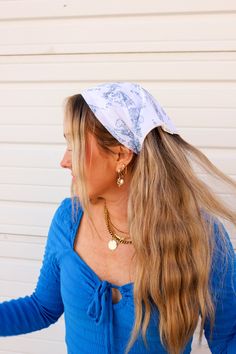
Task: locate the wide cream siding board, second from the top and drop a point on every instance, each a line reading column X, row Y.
column 151, row 33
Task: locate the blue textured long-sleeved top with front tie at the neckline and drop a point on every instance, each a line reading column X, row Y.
column 94, row 324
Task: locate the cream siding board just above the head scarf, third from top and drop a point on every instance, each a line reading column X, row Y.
column 150, row 70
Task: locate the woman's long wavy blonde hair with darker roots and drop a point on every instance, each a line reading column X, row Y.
column 172, row 238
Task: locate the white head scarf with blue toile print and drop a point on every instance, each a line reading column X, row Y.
column 127, row 111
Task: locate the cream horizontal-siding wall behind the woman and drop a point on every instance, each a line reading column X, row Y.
column 184, row 52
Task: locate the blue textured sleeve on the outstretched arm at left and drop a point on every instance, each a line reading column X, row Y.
column 44, row 306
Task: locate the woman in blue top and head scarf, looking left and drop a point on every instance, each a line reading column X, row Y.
column 138, row 253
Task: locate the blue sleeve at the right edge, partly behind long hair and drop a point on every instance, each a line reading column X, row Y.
column 223, row 284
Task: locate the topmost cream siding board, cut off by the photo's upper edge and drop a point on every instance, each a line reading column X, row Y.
column 65, row 9
